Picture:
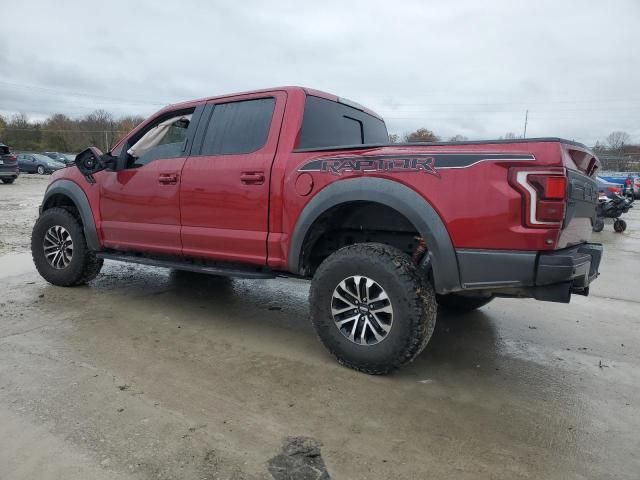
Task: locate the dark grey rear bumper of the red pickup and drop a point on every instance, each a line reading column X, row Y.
column 551, row 276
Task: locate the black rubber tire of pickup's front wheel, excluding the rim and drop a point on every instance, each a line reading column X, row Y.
column 84, row 265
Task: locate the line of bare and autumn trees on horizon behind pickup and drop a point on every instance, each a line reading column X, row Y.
column 61, row 133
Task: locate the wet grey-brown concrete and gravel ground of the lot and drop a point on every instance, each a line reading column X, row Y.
column 147, row 373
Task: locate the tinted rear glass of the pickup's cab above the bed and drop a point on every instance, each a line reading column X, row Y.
column 329, row 124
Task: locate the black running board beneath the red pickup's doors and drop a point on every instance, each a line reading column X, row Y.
column 218, row 269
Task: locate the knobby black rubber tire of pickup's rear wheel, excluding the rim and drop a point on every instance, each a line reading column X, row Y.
column 412, row 298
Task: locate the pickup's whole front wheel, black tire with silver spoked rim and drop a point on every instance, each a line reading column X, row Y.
column 59, row 249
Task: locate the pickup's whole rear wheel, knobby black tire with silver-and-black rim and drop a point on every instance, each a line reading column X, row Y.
column 371, row 308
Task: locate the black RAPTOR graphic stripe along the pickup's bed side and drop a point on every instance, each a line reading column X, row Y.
column 424, row 162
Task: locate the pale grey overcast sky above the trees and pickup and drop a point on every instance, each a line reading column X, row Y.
column 455, row 67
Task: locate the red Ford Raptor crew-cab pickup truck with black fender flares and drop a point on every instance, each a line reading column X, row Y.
column 296, row 182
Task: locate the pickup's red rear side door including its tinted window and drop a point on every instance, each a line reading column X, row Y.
column 224, row 193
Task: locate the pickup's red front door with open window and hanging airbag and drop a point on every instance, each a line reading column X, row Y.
column 140, row 205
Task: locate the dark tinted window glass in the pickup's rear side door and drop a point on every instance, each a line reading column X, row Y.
column 238, row 127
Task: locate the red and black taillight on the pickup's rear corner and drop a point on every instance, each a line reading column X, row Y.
column 544, row 193
